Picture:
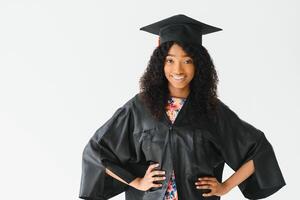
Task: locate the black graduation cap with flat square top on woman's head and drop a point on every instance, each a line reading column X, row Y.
column 180, row 28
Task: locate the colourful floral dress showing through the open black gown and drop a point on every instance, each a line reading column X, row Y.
column 173, row 107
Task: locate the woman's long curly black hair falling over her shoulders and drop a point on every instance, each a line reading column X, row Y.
column 203, row 87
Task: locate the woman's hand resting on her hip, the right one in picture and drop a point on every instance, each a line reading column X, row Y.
column 217, row 188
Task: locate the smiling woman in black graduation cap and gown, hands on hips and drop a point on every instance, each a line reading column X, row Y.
column 171, row 140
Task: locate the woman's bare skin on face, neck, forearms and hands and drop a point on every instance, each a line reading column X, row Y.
column 177, row 62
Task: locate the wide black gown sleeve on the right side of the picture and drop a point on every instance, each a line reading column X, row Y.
column 241, row 142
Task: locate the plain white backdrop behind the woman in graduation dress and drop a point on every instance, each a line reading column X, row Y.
column 66, row 66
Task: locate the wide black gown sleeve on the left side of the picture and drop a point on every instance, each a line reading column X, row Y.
column 110, row 147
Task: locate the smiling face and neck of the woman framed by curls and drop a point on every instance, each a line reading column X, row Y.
column 179, row 70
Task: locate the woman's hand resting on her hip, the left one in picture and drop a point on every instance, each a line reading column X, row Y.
column 146, row 182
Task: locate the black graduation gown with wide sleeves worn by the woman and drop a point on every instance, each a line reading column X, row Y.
column 131, row 138
